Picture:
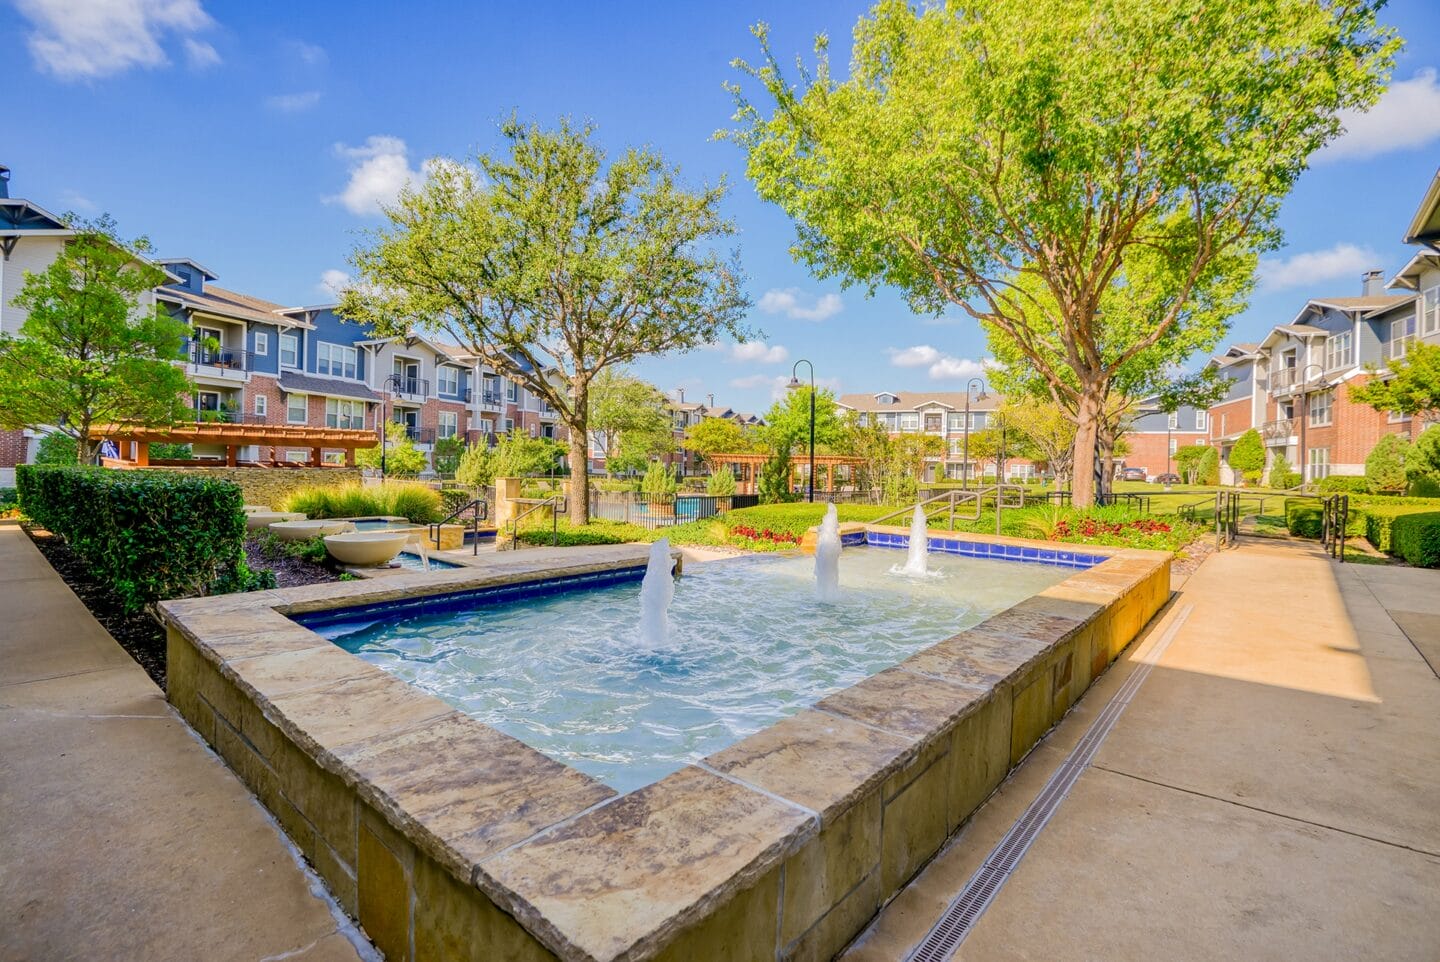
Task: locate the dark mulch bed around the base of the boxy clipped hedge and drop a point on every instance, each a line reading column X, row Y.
column 140, row 634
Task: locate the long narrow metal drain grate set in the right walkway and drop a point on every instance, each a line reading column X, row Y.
column 966, row 911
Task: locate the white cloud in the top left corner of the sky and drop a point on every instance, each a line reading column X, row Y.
column 81, row 40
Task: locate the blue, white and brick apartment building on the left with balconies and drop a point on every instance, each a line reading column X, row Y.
column 260, row 362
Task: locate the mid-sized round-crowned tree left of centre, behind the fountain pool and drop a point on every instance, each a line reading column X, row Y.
column 554, row 266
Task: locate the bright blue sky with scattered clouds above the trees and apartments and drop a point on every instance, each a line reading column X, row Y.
column 257, row 139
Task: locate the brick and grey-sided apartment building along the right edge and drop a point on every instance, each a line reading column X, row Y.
column 1295, row 385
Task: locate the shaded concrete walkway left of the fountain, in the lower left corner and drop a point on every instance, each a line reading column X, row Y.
column 122, row 836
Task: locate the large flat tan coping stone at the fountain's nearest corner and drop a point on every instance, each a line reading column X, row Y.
column 618, row 882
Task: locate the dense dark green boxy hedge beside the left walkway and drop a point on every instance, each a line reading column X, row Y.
column 148, row 535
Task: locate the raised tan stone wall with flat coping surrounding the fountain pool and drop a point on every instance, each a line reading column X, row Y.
column 449, row 840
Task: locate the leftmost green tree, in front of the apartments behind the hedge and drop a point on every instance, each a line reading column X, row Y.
column 93, row 351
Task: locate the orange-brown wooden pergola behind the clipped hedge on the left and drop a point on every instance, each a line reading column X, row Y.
column 135, row 443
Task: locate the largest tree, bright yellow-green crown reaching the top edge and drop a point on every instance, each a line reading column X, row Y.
column 984, row 150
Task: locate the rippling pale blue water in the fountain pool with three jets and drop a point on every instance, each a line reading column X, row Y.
column 750, row 646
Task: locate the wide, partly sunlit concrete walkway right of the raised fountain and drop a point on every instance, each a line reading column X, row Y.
column 1269, row 794
